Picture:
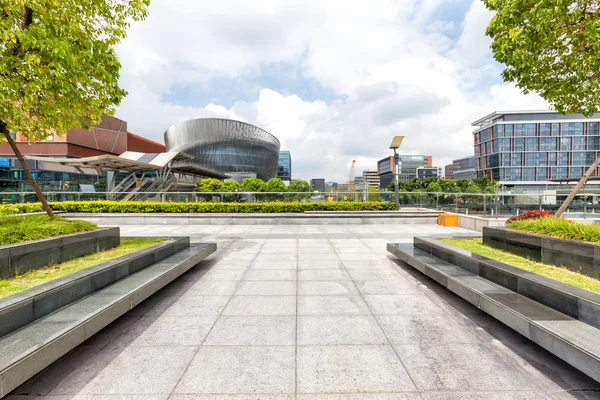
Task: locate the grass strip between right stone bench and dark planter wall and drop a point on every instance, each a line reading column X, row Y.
column 549, row 271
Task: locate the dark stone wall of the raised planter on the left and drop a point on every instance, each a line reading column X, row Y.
column 23, row 257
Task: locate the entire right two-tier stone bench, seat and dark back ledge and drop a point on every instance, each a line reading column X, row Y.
column 560, row 318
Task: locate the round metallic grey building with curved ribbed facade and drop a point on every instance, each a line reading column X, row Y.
column 229, row 147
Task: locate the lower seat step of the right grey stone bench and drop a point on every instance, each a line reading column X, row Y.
column 572, row 340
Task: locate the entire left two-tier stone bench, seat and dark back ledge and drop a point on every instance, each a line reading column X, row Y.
column 42, row 324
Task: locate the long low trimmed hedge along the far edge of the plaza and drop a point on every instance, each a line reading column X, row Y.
column 105, row 206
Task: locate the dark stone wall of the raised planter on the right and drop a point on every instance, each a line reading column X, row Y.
column 575, row 255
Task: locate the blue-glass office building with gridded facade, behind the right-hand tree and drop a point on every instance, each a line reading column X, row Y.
column 526, row 146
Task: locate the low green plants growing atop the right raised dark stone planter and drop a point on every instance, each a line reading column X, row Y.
column 560, row 228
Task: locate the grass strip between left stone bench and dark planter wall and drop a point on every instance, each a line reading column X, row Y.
column 51, row 272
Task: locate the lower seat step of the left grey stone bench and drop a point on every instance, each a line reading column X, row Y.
column 27, row 351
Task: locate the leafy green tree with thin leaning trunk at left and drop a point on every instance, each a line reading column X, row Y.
column 58, row 66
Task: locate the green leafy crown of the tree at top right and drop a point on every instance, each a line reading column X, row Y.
column 551, row 47
